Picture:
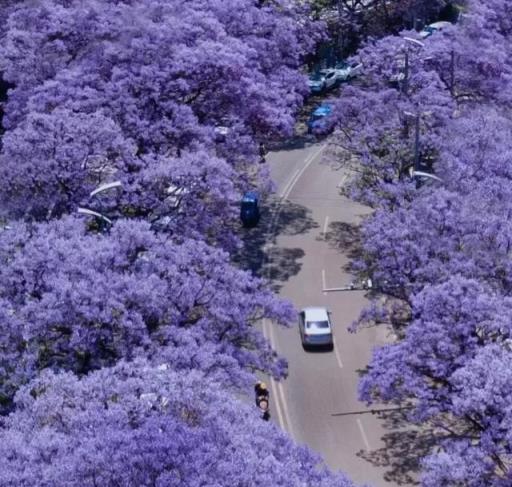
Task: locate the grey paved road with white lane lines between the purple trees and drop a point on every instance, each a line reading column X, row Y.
column 315, row 230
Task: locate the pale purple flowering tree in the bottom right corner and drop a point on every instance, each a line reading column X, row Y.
column 478, row 452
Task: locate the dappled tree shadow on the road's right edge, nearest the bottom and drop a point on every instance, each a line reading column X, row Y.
column 404, row 448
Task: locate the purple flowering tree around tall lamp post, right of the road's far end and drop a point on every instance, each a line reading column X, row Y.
column 374, row 123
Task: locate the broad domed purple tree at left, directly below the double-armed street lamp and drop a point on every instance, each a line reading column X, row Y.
column 78, row 301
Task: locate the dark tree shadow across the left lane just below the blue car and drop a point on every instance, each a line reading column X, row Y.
column 259, row 253
